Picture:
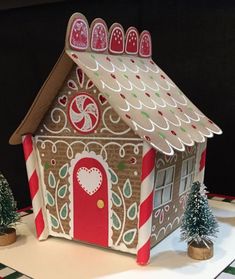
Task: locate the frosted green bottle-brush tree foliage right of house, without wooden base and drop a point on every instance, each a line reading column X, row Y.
column 198, row 223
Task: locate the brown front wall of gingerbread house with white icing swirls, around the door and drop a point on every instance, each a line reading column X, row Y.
column 58, row 141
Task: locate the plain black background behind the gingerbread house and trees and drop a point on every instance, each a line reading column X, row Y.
column 193, row 42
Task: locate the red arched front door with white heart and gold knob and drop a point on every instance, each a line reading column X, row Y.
column 90, row 196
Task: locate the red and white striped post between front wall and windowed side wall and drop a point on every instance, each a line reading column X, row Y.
column 146, row 204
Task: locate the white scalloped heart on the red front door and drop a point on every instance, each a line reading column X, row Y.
column 89, row 179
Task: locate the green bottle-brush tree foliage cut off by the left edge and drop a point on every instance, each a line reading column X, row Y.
column 8, row 211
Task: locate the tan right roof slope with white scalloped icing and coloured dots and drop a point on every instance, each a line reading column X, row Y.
column 147, row 100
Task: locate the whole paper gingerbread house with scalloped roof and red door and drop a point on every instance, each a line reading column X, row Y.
column 111, row 144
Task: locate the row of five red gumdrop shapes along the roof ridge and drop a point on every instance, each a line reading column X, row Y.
column 97, row 38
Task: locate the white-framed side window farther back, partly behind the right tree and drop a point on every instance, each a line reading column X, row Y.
column 187, row 174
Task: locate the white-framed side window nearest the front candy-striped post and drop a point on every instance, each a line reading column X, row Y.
column 163, row 187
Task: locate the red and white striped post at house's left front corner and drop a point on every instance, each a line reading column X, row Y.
column 36, row 195
